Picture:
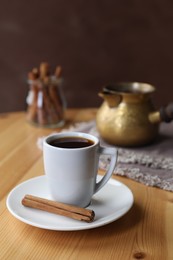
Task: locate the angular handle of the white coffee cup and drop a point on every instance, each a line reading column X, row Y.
column 114, row 154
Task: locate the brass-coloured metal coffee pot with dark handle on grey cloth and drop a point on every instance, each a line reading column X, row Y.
column 127, row 116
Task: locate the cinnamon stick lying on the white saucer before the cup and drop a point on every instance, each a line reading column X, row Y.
column 67, row 210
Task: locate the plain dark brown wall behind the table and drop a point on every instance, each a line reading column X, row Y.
column 96, row 42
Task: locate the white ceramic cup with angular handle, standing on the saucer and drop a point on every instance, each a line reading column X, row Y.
column 72, row 173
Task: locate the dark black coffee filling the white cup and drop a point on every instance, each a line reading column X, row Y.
column 71, row 142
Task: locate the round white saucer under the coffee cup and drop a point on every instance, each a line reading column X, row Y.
column 109, row 204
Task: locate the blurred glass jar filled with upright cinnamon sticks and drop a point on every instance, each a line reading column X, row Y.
column 45, row 102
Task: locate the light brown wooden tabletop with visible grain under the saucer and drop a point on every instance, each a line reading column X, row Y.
column 145, row 232
